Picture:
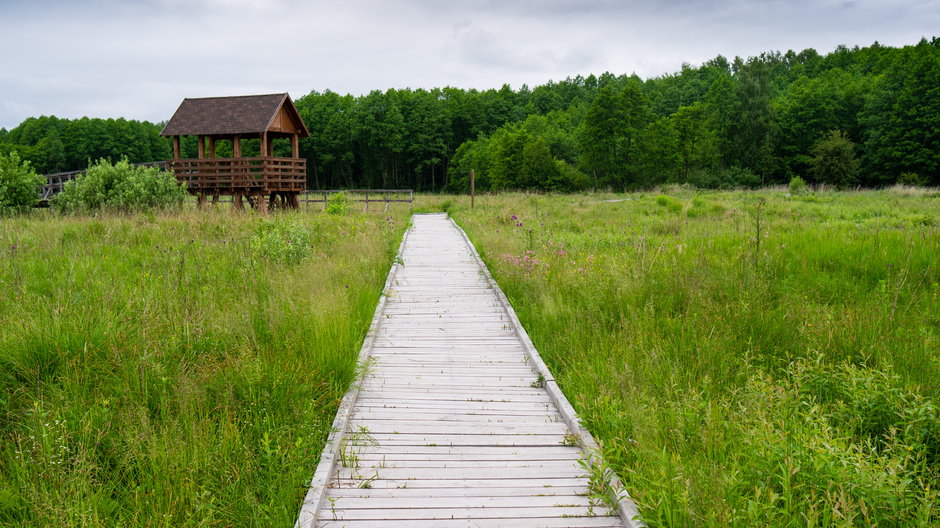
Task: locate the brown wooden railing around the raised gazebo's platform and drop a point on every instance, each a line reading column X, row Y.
column 241, row 175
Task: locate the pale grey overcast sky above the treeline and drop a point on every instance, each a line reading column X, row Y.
column 139, row 58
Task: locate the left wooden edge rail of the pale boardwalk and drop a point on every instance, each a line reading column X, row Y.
column 310, row 507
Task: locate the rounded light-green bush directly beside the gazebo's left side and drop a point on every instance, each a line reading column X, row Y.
column 120, row 187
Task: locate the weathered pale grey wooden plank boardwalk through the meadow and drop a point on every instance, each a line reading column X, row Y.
column 456, row 422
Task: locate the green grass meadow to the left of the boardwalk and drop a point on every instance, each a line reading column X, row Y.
column 178, row 369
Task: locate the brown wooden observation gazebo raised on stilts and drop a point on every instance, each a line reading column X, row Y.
column 265, row 117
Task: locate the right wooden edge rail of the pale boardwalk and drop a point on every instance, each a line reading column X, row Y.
column 626, row 508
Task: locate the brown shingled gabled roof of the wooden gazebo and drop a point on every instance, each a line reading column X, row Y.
column 227, row 116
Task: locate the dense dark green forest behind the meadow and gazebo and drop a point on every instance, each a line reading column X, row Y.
column 854, row 117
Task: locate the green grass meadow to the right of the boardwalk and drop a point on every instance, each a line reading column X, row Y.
column 745, row 358
